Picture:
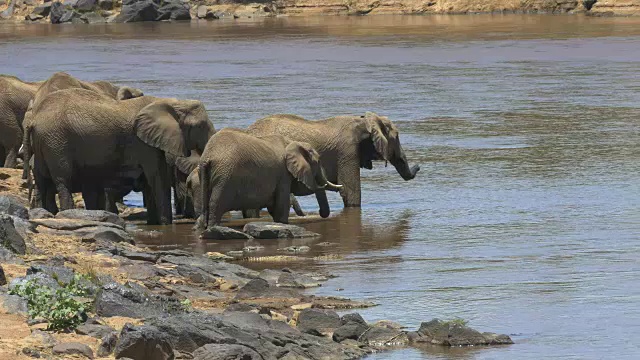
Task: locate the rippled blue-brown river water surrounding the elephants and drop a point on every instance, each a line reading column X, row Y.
column 525, row 218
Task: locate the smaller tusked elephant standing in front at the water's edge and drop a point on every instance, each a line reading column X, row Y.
column 239, row 171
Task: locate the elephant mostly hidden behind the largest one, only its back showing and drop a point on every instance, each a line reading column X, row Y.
column 61, row 81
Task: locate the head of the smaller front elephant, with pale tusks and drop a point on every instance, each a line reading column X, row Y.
column 303, row 163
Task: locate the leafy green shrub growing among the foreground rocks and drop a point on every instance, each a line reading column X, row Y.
column 60, row 308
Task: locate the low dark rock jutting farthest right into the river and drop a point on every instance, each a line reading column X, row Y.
column 449, row 333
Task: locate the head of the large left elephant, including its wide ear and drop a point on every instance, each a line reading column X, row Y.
column 174, row 126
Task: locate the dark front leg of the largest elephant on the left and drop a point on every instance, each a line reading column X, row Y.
column 158, row 197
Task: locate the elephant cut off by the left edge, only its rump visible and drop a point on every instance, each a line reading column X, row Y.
column 15, row 95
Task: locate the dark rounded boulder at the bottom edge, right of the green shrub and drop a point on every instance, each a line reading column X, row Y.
column 142, row 343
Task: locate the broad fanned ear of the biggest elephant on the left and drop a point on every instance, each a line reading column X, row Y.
column 157, row 125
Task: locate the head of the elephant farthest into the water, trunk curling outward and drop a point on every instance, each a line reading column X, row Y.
column 380, row 141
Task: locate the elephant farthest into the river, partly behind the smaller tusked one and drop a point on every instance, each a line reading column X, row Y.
column 345, row 144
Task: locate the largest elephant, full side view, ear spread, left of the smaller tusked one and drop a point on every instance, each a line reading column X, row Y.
column 83, row 138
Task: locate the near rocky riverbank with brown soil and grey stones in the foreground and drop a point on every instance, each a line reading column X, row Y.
column 76, row 285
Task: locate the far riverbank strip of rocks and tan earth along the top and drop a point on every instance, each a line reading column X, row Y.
column 103, row 11
